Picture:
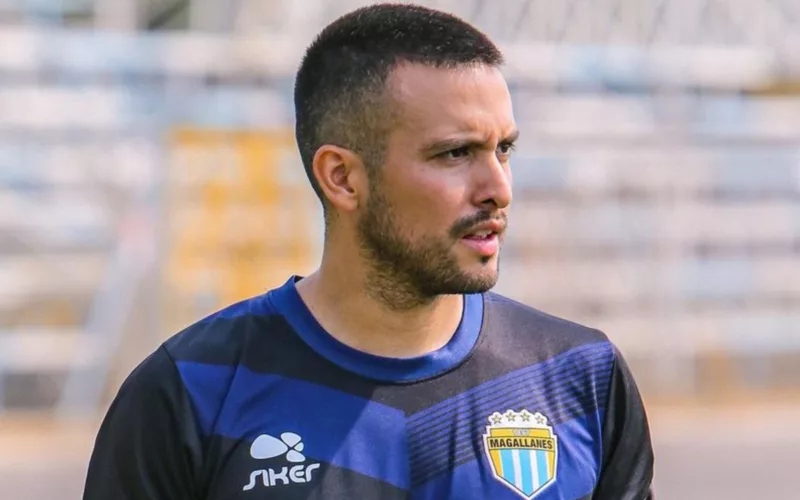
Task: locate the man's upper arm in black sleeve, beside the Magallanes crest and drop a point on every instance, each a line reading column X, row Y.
column 627, row 470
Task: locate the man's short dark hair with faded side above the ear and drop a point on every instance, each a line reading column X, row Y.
column 341, row 81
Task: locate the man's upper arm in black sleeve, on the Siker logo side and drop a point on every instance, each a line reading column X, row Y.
column 147, row 447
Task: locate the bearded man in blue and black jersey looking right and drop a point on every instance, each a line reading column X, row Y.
column 391, row 372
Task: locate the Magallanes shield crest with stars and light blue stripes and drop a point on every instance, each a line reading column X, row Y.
column 522, row 451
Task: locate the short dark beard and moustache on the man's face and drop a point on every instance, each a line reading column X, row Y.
column 404, row 275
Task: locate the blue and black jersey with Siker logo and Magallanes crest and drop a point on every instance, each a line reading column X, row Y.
column 259, row 402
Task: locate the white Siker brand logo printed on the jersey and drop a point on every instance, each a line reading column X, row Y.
column 290, row 446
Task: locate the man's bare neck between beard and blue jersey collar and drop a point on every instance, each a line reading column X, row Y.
column 341, row 301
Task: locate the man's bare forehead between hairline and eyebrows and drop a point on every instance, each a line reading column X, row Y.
column 434, row 102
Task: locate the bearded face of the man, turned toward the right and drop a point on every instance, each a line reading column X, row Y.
column 437, row 206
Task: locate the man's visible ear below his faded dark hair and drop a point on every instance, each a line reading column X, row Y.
column 341, row 176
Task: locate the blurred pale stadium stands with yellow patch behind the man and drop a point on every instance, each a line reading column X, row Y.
column 148, row 176
